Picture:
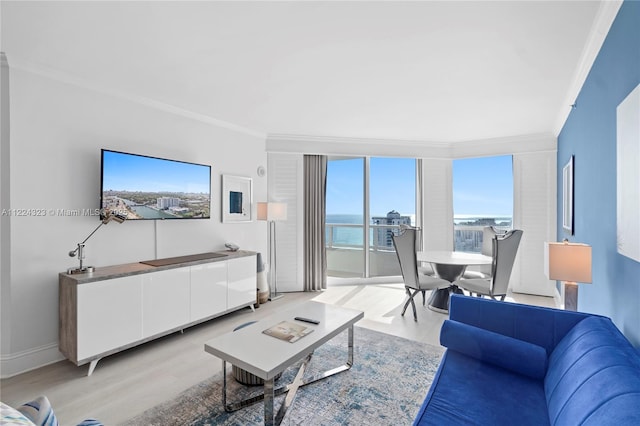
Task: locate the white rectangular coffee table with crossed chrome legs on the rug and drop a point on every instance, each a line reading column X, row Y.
column 266, row 356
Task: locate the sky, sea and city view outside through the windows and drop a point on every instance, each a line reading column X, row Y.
column 482, row 195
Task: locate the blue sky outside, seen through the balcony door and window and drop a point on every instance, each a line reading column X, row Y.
column 481, row 186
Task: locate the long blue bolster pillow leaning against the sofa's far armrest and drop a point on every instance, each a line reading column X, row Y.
column 503, row 351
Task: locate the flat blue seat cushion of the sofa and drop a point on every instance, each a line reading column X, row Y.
column 466, row 391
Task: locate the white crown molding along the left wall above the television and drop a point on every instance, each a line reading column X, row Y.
column 70, row 79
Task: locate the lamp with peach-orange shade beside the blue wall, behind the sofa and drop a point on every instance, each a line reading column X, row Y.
column 571, row 263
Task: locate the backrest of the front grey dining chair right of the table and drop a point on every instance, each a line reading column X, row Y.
column 505, row 248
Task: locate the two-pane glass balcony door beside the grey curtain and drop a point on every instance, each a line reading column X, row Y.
column 367, row 201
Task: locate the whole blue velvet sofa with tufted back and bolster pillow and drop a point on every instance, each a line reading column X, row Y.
column 510, row 364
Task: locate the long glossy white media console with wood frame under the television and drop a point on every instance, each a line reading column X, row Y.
column 117, row 307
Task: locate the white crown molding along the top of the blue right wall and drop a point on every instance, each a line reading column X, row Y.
column 601, row 25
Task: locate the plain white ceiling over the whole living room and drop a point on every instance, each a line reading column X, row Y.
column 423, row 71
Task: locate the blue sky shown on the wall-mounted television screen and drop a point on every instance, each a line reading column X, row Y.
column 126, row 172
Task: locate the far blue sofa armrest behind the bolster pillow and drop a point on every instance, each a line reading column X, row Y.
column 541, row 326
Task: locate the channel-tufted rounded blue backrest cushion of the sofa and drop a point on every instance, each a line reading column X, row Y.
column 593, row 377
